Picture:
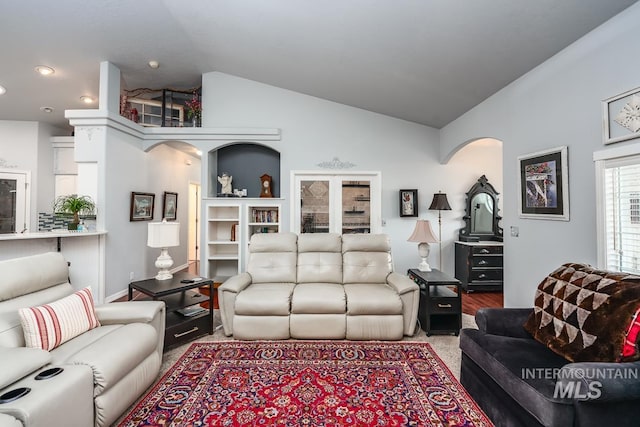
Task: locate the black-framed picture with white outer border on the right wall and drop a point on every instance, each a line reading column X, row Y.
column 544, row 185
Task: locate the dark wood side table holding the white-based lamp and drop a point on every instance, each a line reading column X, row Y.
column 180, row 300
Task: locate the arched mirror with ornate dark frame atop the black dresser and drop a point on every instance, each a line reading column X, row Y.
column 481, row 215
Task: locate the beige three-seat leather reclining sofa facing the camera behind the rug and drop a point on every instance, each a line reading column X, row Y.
column 319, row 286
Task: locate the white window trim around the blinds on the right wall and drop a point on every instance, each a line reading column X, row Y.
column 618, row 156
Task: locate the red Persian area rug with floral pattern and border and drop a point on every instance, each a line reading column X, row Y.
column 307, row 383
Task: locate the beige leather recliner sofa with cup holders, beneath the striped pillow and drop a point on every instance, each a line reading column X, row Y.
column 104, row 369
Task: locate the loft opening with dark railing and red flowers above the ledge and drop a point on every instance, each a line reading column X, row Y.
column 166, row 107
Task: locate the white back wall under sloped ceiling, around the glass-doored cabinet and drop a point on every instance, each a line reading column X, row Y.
column 316, row 130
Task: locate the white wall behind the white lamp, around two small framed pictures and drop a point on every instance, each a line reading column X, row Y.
column 128, row 168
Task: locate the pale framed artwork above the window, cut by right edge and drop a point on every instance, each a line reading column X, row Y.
column 621, row 117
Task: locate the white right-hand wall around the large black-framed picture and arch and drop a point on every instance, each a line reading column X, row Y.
column 558, row 103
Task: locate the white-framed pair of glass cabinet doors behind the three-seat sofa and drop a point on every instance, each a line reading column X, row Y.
column 336, row 203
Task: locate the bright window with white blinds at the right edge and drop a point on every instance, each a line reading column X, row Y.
column 622, row 214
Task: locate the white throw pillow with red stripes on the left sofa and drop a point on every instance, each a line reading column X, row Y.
column 50, row 325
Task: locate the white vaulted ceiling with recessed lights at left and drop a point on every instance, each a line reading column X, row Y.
column 426, row 61
